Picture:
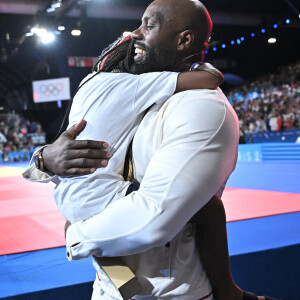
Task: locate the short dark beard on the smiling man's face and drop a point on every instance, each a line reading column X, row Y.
column 157, row 58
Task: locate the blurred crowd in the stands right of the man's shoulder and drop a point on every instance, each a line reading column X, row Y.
column 270, row 102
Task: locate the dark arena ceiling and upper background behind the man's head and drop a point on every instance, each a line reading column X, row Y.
column 101, row 22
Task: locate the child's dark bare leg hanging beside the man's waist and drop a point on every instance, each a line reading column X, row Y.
column 211, row 238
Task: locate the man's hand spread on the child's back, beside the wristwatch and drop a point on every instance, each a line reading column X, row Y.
column 70, row 157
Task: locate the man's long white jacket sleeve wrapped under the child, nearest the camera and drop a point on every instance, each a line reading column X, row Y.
column 197, row 154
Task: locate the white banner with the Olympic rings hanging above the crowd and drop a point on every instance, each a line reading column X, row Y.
column 51, row 89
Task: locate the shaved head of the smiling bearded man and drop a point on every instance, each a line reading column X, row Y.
column 173, row 35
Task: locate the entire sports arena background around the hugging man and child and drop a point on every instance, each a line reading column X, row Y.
column 48, row 46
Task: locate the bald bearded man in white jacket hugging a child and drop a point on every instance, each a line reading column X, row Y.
column 183, row 153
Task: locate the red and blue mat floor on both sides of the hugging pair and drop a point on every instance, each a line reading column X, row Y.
column 262, row 202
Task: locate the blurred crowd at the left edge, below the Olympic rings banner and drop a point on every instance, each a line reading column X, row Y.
column 17, row 135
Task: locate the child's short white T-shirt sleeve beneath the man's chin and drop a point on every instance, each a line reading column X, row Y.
column 156, row 87
